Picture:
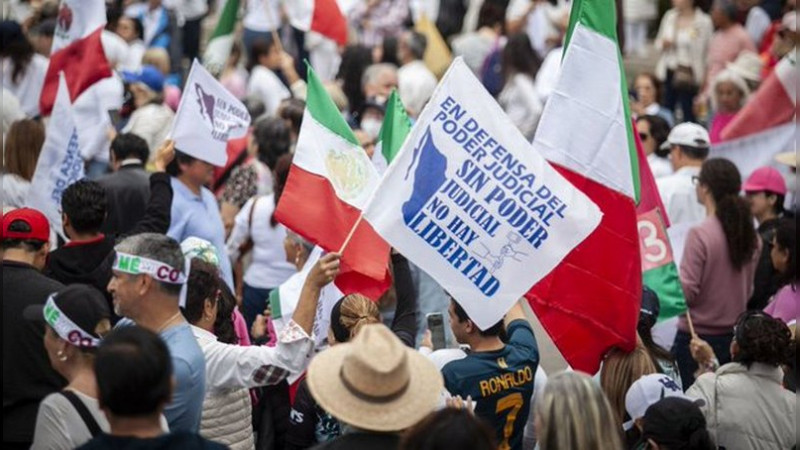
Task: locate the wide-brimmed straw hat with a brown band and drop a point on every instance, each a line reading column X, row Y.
column 374, row 382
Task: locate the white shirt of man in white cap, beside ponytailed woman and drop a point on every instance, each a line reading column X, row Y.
column 679, row 196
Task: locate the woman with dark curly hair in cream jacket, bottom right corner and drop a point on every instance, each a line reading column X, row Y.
column 744, row 402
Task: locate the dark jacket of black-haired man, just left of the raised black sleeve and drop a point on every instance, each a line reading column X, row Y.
column 127, row 191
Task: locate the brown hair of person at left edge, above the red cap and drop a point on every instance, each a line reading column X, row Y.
column 22, row 147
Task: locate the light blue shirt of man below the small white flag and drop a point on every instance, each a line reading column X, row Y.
column 198, row 216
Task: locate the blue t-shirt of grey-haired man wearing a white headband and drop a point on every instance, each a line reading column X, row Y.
column 189, row 369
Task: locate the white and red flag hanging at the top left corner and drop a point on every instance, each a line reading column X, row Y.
column 77, row 50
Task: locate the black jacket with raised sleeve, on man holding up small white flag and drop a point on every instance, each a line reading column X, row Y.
column 91, row 262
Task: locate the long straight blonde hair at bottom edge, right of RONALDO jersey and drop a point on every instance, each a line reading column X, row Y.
column 574, row 413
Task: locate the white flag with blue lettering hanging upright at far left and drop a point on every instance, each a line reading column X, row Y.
column 60, row 163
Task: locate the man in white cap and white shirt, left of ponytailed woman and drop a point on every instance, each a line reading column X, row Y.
column 688, row 145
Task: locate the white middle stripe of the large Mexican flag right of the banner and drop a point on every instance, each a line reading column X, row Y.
column 597, row 79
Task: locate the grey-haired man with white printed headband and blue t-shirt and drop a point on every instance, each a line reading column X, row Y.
column 148, row 275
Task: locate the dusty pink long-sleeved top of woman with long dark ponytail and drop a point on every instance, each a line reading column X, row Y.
column 715, row 291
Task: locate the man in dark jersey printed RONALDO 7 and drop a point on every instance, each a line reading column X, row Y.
column 497, row 375
